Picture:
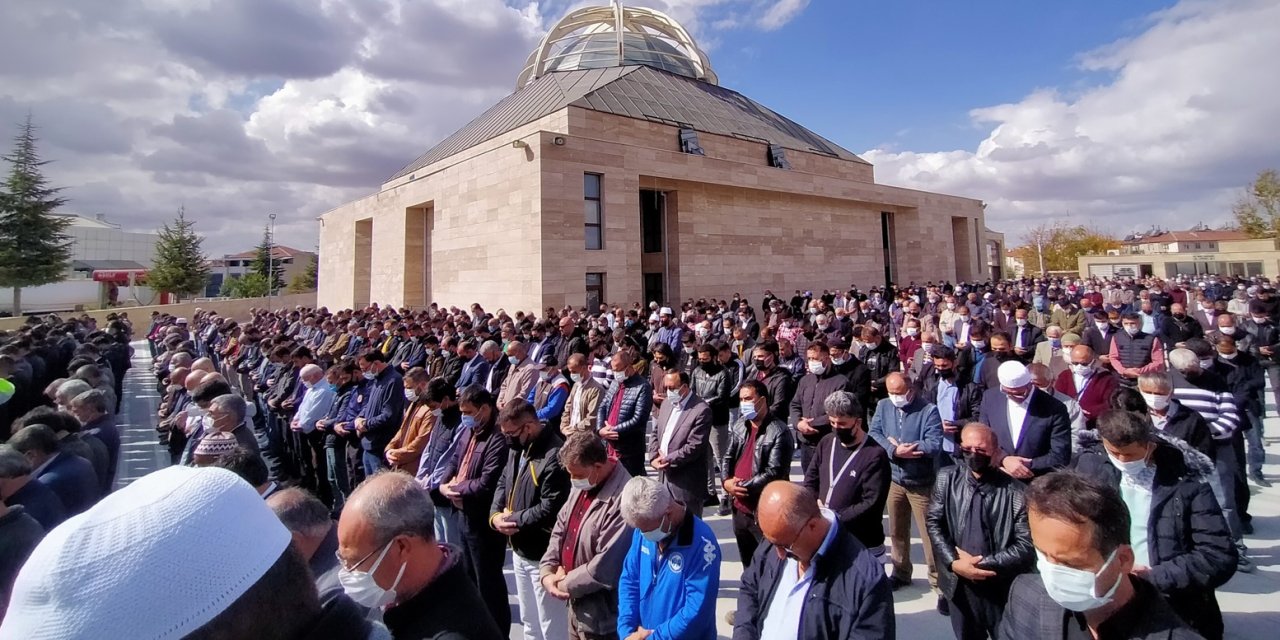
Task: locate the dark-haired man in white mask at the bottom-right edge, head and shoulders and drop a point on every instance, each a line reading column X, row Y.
column 1085, row 587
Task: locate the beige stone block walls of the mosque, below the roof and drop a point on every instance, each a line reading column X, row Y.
column 502, row 223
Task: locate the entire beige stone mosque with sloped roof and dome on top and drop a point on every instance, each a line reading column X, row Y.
column 621, row 172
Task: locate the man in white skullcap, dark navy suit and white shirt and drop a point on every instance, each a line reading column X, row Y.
column 1034, row 428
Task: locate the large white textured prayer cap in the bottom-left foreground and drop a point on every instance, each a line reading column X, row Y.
column 157, row 560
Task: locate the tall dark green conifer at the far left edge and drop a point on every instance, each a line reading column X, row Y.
column 34, row 246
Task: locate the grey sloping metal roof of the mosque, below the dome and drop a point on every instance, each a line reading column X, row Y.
column 639, row 93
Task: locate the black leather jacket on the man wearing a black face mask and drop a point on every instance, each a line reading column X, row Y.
column 1007, row 513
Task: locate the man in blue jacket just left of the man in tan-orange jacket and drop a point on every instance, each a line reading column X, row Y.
column 382, row 410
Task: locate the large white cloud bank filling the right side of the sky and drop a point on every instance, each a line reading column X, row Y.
column 1186, row 118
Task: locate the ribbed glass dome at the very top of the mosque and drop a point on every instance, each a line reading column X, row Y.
column 600, row 38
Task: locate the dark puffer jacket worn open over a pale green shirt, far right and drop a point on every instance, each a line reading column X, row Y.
column 1188, row 542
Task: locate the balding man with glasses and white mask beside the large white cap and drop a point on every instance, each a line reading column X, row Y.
column 392, row 563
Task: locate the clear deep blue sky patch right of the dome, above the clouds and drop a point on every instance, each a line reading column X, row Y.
column 907, row 74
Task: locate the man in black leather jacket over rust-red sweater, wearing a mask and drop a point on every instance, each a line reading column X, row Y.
column 760, row 451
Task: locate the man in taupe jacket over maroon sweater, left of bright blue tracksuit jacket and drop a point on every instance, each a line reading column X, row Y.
column 591, row 541
